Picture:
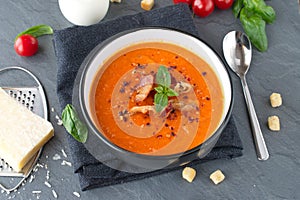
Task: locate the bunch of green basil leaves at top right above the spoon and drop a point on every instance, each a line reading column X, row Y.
column 254, row 15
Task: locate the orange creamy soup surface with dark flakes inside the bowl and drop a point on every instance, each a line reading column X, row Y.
column 123, row 100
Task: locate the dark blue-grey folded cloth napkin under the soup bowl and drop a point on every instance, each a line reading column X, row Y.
column 73, row 44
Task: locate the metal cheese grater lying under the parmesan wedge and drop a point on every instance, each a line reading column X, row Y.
column 30, row 94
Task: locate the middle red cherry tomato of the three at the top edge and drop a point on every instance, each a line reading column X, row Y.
column 203, row 8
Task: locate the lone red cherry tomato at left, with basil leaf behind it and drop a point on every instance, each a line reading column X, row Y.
column 26, row 45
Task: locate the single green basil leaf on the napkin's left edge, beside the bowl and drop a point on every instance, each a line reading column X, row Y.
column 73, row 124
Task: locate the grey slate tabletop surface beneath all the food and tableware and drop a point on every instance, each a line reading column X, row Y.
column 277, row 70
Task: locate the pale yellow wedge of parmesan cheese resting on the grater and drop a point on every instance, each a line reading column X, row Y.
column 22, row 133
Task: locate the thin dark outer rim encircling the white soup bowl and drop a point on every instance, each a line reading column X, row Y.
column 90, row 57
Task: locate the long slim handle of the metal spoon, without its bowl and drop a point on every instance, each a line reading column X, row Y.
column 261, row 148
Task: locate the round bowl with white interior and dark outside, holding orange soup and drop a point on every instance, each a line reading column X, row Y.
column 105, row 50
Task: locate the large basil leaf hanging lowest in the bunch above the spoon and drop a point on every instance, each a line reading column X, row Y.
column 254, row 27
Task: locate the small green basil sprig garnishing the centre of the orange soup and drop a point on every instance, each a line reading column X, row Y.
column 163, row 90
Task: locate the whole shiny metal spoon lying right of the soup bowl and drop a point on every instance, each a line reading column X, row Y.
column 238, row 52
